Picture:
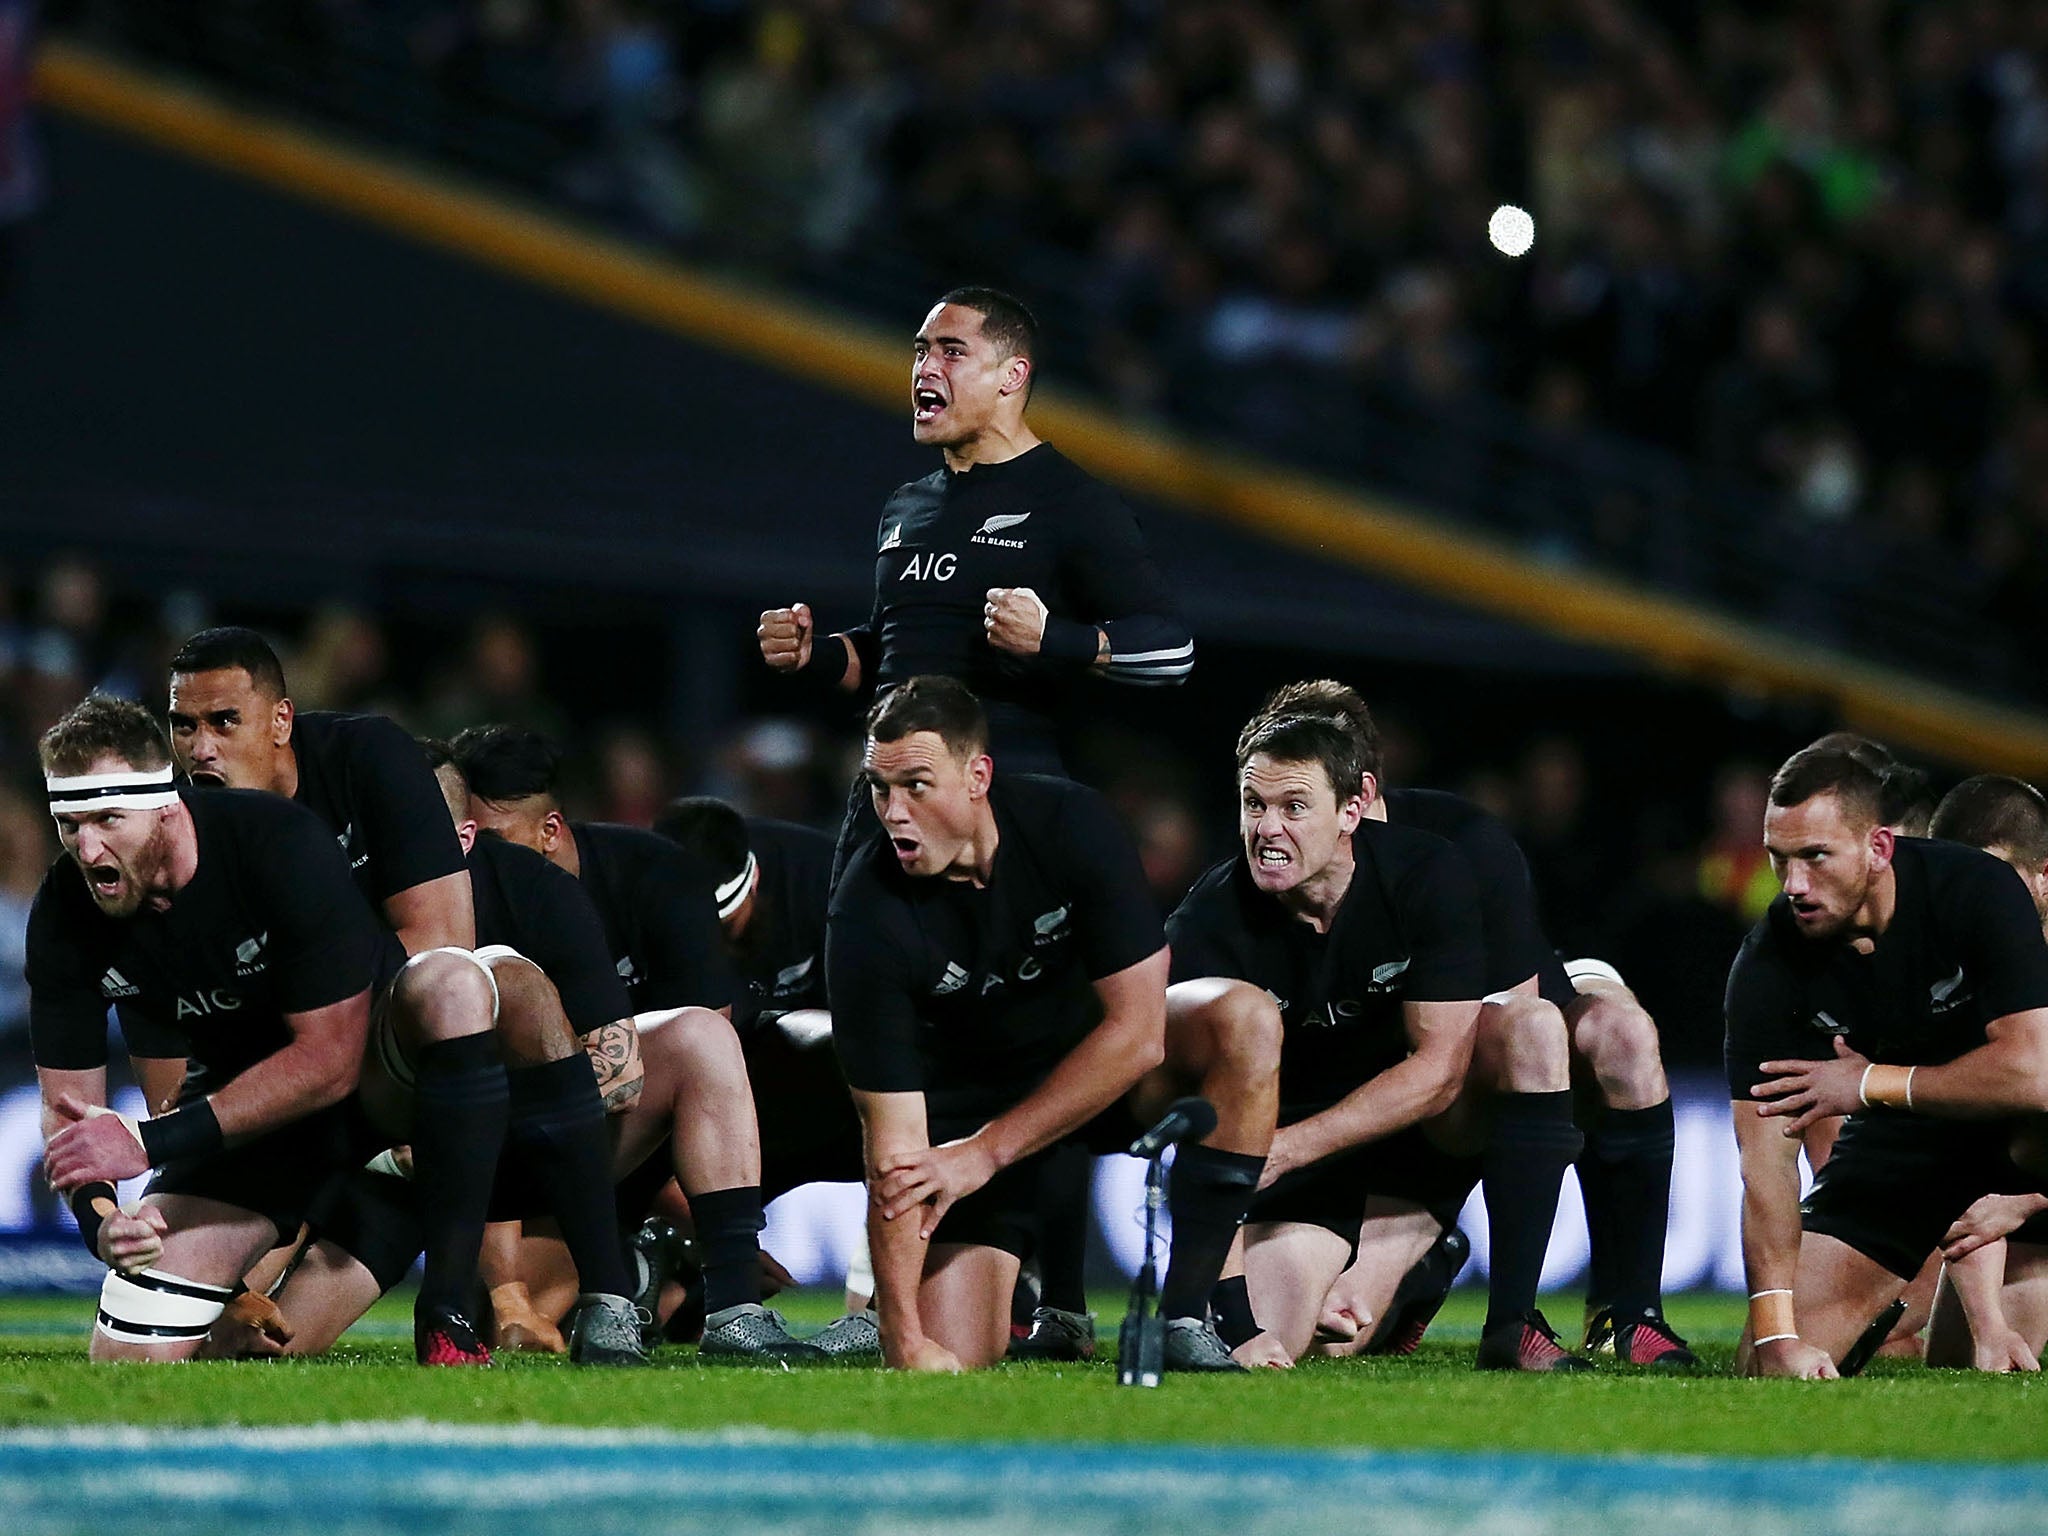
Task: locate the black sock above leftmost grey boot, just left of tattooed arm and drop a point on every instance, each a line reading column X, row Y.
column 558, row 1129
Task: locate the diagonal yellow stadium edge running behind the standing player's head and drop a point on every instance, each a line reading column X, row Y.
column 777, row 331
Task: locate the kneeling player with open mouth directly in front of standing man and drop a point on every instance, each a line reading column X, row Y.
column 998, row 984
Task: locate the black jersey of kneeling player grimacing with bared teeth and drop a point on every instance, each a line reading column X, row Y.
column 1408, row 931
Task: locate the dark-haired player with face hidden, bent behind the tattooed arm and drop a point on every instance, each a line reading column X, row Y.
column 660, row 923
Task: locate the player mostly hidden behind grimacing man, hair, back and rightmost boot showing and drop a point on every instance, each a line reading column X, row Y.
column 1625, row 1170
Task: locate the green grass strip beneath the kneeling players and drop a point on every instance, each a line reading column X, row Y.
column 1431, row 1402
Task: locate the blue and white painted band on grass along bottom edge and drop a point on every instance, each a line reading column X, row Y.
column 382, row 1480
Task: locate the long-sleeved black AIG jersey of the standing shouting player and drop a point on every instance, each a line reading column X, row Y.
column 1033, row 521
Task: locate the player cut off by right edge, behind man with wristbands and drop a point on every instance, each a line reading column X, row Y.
column 1992, row 1308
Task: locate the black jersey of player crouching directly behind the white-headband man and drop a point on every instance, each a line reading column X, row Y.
column 368, row 779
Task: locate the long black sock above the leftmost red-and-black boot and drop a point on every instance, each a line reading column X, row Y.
column 458, row 1132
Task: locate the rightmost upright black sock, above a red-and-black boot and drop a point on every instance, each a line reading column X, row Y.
column 1627, row 1179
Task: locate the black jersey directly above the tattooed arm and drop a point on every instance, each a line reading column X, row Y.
column 548, row 916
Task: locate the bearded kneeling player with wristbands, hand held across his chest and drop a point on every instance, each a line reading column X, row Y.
column 1922, row 972
